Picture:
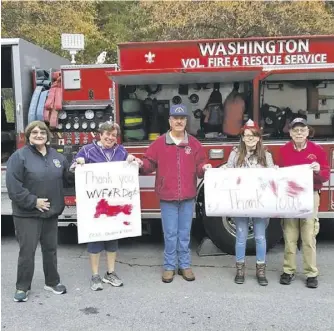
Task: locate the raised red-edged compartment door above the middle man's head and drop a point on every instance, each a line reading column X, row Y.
column 183, row 76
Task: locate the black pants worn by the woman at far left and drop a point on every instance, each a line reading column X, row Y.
column 29, row 231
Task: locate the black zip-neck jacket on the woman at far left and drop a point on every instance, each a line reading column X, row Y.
column 30, row 175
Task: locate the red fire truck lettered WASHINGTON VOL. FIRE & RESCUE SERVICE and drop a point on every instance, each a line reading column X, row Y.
column 279, row 79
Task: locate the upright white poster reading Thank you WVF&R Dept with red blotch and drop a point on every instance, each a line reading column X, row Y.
column 108, row 201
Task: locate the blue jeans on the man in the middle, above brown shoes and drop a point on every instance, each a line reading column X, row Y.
column 176, row 224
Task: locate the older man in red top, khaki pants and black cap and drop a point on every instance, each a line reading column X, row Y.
column 297, row 152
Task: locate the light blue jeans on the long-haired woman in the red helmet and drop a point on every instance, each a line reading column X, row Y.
column 260, row 238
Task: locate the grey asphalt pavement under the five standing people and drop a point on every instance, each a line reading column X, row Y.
column 212, row 302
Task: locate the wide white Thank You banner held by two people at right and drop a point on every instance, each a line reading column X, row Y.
column 259, row 192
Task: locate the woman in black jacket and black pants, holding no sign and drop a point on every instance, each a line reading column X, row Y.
column 34, row 178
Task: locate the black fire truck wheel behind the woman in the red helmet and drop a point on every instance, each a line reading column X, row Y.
column 221, row 230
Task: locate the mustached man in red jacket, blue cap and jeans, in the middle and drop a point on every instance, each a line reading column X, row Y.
column 178, row 160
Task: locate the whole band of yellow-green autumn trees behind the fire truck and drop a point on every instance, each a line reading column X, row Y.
column 105, row 24
